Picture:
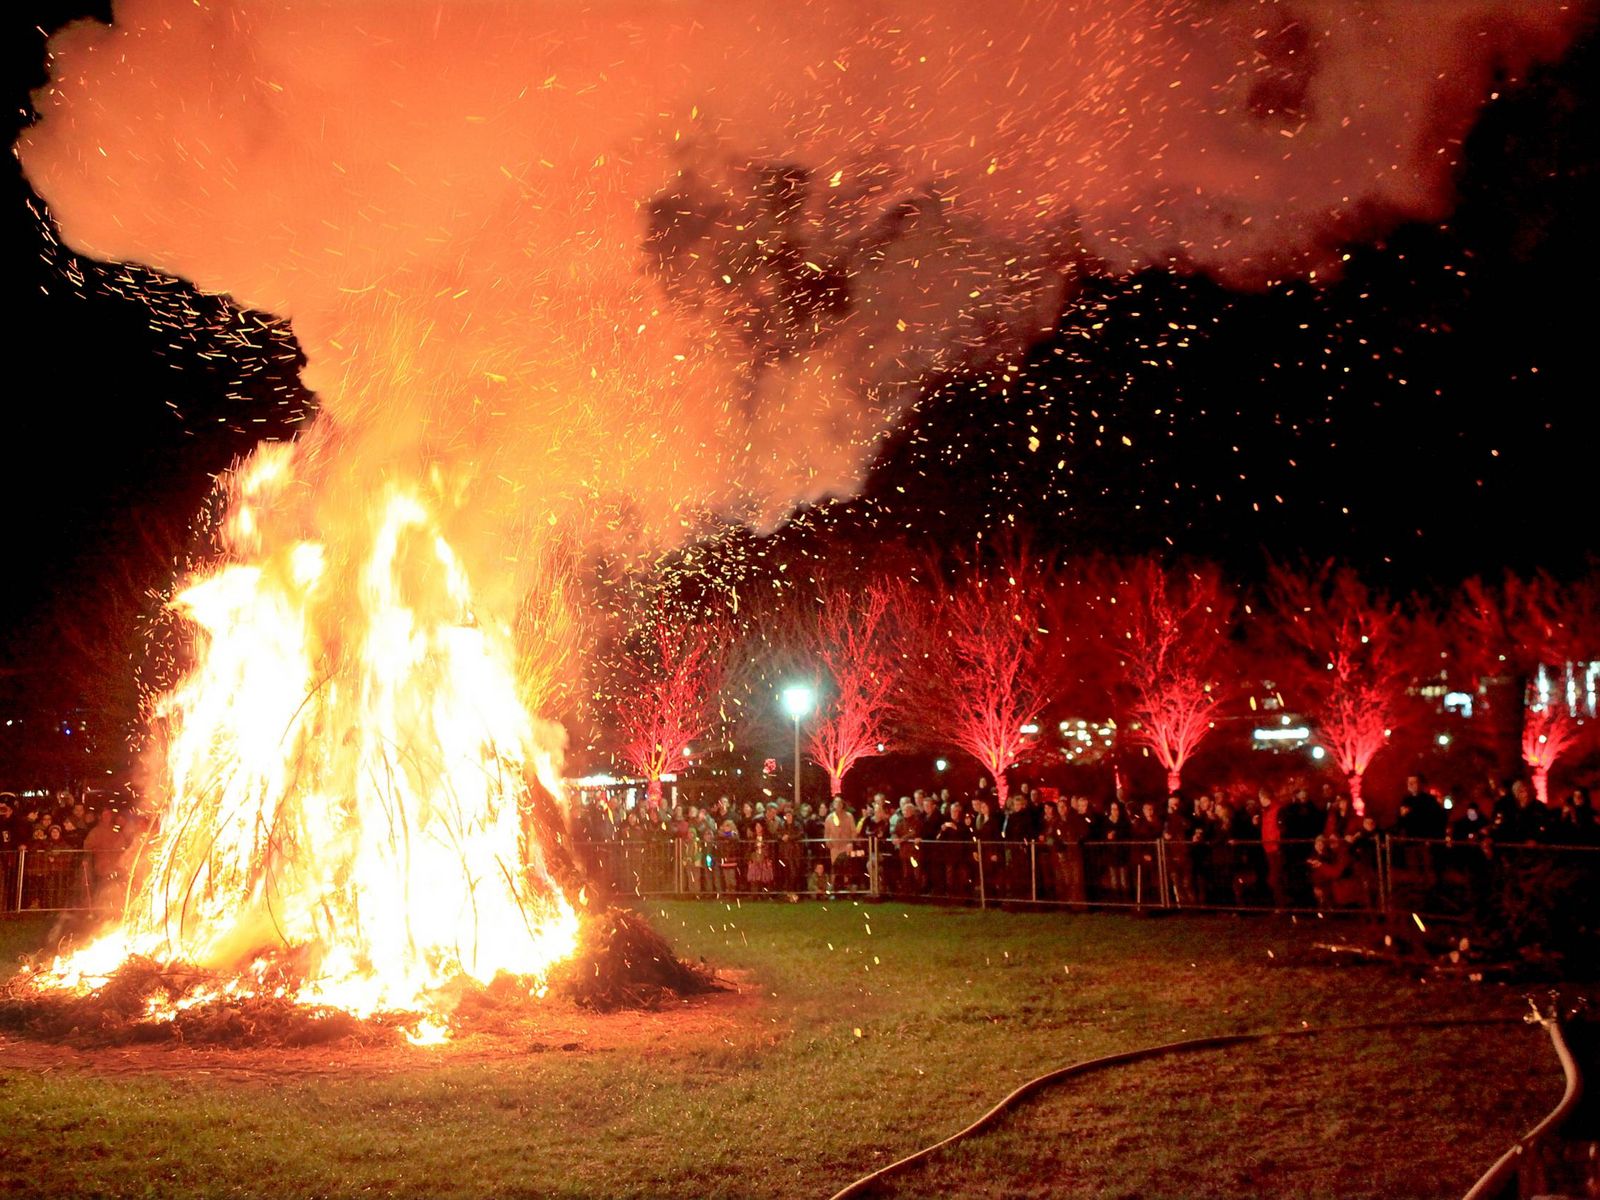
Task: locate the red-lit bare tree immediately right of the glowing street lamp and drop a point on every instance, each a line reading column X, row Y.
column 849, row 638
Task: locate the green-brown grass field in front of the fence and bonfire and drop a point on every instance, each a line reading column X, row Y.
column 862, row 1034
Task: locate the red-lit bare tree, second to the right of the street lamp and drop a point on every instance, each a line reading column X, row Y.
column 986, row 665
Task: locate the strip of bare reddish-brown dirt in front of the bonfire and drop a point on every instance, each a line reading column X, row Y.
column 543, row 1028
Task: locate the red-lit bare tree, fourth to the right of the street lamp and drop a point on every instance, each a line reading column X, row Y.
column 1346, row 657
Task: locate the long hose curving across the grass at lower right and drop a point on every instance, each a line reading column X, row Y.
column 1481, row 1191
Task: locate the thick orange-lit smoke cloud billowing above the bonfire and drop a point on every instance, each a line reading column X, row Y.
column 615, row 266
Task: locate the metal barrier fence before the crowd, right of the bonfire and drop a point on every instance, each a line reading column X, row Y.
column 1374, row 874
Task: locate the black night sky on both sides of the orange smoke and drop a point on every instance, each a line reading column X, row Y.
column 1425, row 418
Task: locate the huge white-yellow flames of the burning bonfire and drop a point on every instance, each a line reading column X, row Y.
column 345, row 770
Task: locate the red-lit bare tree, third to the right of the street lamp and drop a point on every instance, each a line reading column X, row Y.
column 1169, row 634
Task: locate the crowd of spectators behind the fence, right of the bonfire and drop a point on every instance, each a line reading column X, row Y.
column 1302, row 849
